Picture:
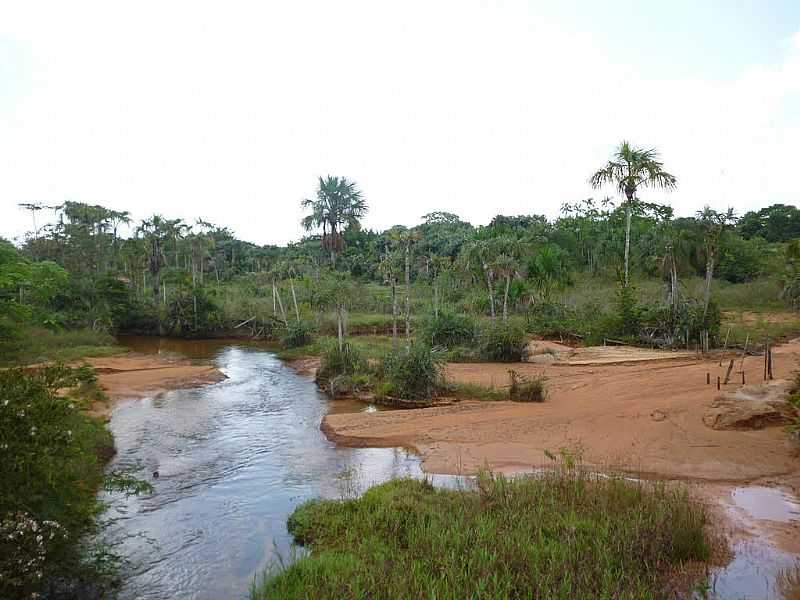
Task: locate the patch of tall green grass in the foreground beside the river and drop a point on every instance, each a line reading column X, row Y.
column 564, row 534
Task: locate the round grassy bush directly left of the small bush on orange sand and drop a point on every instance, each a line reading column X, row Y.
column 414, row 373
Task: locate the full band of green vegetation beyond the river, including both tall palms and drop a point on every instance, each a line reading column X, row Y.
column 631, row 271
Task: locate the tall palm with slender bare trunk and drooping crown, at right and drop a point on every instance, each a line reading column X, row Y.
column 632, row 168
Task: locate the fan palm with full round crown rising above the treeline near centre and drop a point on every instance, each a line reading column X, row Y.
column 338, row 205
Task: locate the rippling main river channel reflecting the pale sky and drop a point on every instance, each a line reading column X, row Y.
column 234, row 459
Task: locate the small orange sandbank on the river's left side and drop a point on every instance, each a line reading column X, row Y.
column 135, row 375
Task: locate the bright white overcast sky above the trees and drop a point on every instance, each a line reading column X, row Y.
column 229, row 111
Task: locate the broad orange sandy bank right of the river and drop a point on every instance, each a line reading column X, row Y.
column 641, row 416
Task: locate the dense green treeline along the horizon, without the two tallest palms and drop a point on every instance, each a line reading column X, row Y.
column 78, row 271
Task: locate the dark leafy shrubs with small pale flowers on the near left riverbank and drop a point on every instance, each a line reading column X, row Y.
column 49, row 449
